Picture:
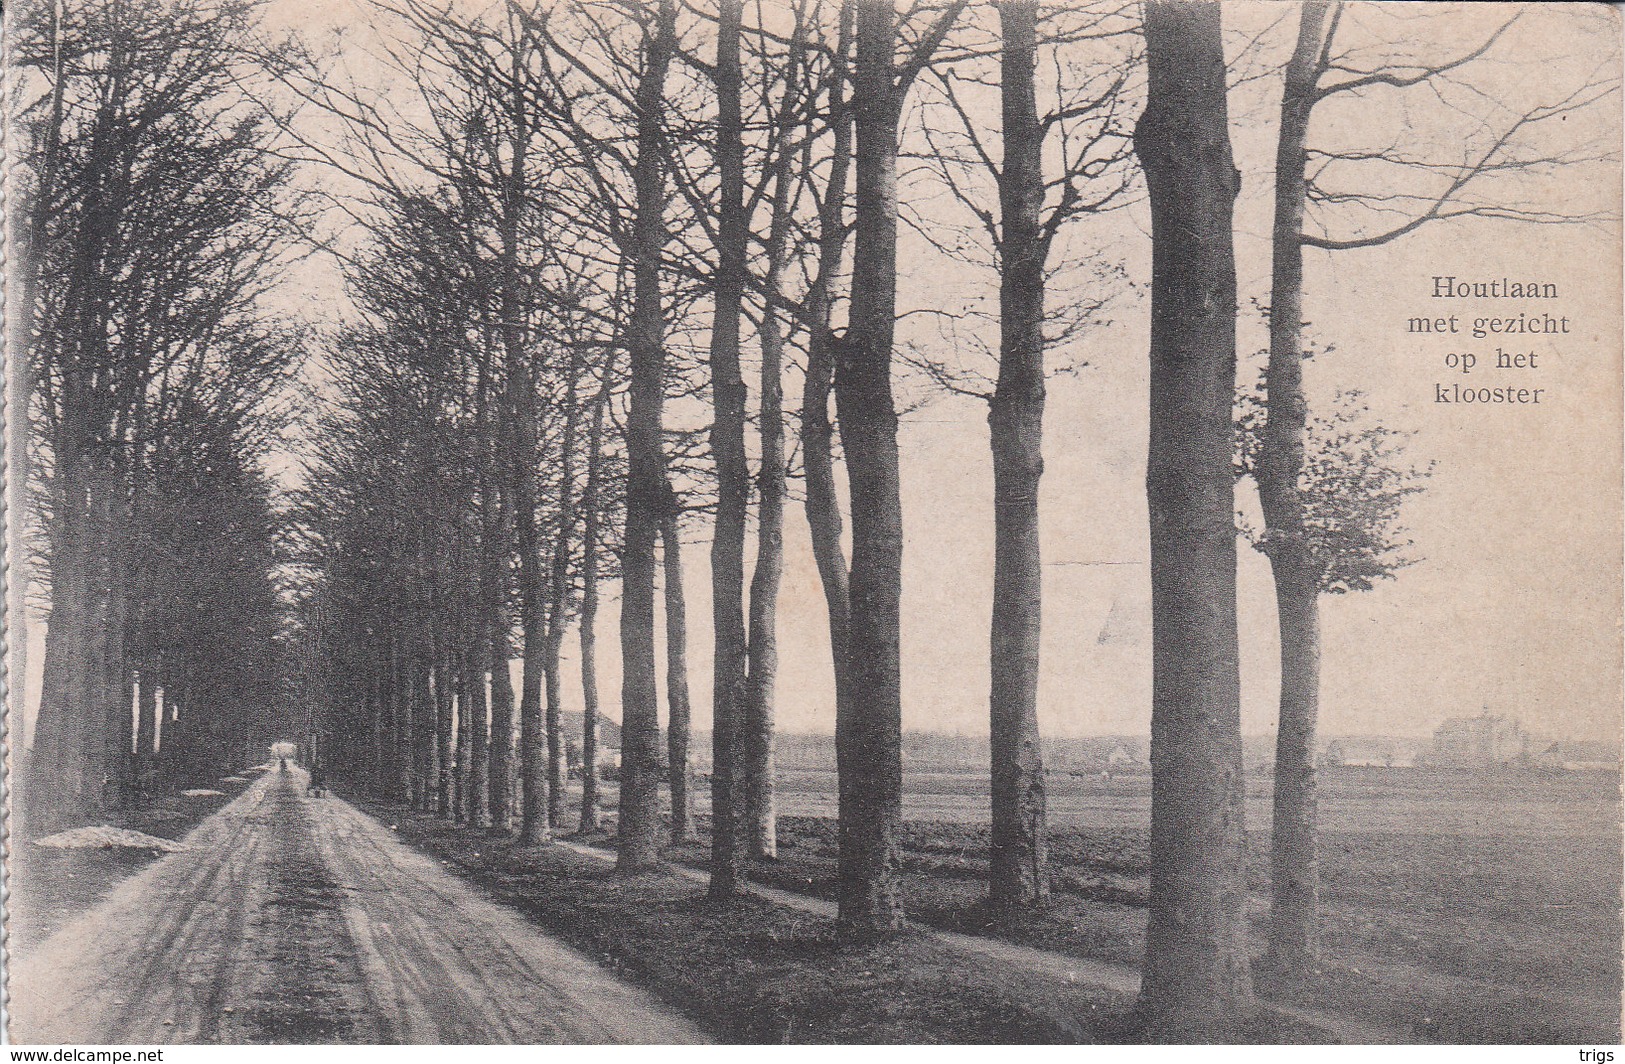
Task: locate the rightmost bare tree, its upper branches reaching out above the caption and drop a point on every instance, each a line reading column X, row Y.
column 1379, row 196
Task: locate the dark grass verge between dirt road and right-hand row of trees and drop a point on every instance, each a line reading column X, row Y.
column 753, row 972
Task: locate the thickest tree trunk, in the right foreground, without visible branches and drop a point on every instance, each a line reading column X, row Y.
column 1197, row 980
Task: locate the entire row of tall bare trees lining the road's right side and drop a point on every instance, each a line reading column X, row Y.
column 592, row 215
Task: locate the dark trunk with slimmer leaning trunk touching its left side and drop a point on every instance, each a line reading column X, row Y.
column 870, row 740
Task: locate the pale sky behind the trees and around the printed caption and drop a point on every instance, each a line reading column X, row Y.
column 1517, row 605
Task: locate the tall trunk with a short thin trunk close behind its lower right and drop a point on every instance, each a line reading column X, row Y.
column 639, row 820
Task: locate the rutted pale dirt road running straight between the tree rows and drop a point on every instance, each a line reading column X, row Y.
column 295, row 920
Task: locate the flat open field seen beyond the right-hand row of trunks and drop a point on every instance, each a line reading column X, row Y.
column 1457, row 907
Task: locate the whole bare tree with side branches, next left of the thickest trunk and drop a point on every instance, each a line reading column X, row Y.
column 1088, row 134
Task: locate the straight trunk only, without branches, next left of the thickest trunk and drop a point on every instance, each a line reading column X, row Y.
column 1020, row 872
